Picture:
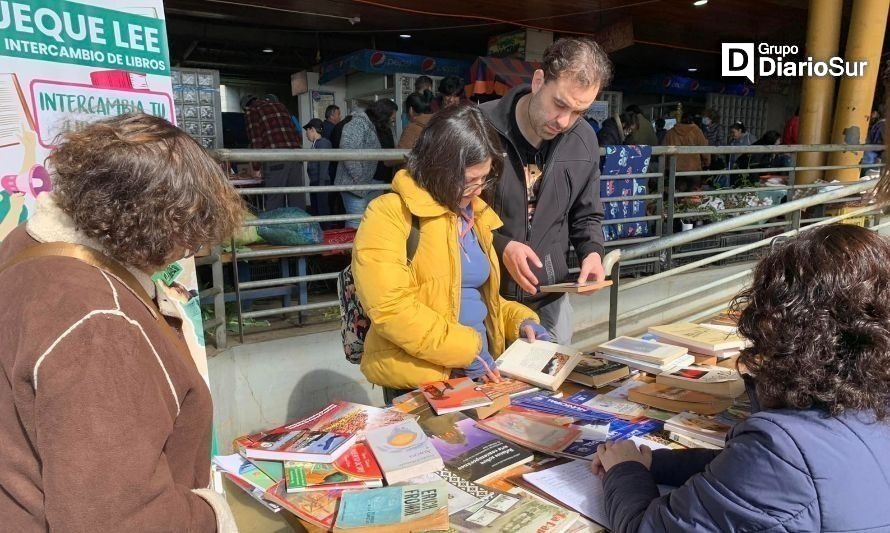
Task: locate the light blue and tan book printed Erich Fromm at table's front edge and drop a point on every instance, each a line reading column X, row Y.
column 421, row 507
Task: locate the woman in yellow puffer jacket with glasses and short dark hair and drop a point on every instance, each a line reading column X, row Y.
column 441, row 314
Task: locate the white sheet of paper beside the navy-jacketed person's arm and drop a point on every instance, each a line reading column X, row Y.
column 575, row 486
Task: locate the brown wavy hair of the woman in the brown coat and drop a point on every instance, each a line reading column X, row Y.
column 143, row 189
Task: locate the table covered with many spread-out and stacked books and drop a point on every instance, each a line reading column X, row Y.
column 458, row 455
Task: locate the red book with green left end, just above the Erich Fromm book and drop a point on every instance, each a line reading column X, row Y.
column 356, row 468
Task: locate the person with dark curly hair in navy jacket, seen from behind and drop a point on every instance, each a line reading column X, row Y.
column 815, row 458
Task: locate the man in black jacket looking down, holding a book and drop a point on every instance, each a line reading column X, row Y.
column 548, row 193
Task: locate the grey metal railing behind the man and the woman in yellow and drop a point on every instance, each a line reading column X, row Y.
column 645, row 250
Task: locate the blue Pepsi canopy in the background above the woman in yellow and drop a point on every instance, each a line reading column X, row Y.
column 382, row 62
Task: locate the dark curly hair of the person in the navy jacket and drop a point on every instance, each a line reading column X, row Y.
column 818, row 317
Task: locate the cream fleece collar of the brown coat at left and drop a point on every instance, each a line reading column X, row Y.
column 51, row 224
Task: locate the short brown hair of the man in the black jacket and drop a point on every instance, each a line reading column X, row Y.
column 580, row 59
